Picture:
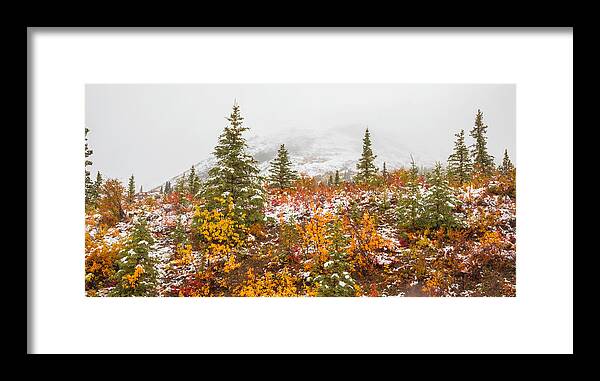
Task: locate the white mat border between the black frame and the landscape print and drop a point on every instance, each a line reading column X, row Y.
column 539, row 319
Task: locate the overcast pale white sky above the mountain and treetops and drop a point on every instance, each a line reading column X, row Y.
column 158, row 131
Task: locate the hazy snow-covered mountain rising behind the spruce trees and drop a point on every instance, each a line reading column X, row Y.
column 320, row 153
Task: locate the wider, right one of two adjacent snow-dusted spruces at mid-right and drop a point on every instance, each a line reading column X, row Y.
column 440, row 201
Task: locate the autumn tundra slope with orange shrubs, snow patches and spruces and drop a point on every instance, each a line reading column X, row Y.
column 448, row 230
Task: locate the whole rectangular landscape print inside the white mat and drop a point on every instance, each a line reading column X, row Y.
column 300, row 190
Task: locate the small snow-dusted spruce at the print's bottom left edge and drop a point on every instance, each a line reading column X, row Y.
column 137, row 273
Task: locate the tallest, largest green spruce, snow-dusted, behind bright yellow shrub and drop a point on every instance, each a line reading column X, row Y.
column 236, row 173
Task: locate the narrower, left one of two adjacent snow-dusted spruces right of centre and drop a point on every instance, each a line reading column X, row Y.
column 410, row 205
